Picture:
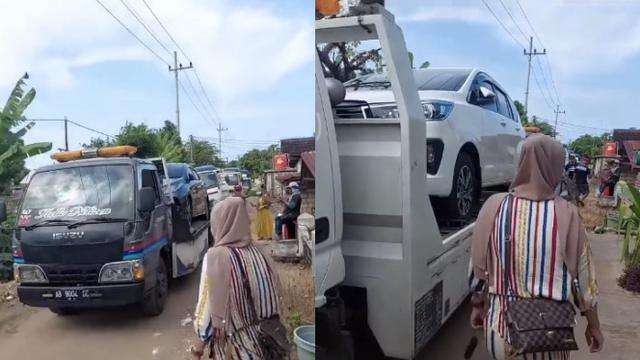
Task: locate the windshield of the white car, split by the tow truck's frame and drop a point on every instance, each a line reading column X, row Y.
column 426, row 79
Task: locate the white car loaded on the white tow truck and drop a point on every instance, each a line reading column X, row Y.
column 473, row 132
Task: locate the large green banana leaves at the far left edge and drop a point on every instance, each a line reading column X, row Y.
column 13, row 150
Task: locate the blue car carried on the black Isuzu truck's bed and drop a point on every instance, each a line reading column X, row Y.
column 188, row 191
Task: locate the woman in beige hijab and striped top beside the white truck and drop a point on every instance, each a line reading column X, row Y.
column 549, row 249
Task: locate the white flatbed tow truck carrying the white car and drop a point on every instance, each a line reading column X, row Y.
column 387, row 275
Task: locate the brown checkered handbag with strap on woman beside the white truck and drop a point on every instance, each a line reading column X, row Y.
column 536, row 324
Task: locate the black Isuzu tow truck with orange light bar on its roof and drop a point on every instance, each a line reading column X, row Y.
column 99, row 229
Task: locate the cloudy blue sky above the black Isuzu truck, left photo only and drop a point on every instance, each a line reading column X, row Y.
column 254, row 59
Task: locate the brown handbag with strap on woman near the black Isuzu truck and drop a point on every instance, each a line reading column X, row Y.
column 272, row 335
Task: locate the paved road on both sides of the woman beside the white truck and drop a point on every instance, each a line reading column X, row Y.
column 619, row 316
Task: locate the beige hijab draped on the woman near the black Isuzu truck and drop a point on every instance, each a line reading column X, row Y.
column 230, row 226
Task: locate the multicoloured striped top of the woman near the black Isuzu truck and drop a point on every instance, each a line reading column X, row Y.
column 240, row 339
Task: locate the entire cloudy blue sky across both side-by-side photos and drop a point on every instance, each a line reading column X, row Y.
column 255, row 61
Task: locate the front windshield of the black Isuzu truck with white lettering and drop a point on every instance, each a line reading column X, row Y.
column 79, row 193
